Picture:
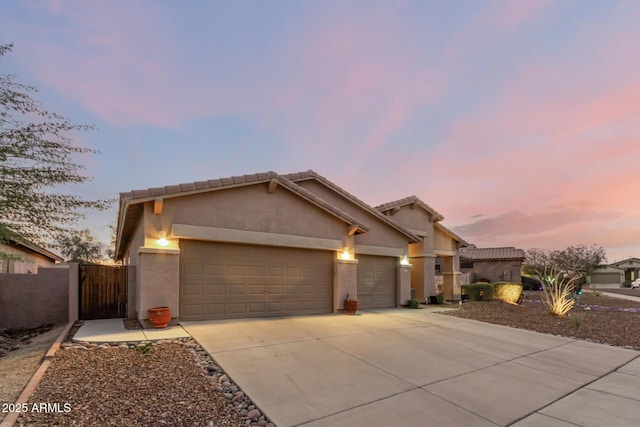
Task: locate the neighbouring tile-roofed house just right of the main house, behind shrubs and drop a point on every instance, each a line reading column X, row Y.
column 493, row 264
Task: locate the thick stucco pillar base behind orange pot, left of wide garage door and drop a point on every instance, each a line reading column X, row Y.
column 159, row 275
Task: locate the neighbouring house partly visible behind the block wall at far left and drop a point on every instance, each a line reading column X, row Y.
column 29, row 257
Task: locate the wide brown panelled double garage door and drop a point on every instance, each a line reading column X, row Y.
column 225, row 280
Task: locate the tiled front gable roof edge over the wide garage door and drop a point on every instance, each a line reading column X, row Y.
column 132, row 203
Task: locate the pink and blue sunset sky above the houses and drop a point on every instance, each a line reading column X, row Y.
column 518, row 121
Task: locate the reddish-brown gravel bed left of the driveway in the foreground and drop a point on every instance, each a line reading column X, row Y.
column 166, row 383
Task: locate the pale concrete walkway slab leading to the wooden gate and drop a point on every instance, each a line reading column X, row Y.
column 112, row 330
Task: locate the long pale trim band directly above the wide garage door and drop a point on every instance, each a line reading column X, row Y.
column 214, row 234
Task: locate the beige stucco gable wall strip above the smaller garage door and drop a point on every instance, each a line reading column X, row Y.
column 379, row 234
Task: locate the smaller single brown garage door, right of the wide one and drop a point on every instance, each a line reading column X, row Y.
column 376, row 281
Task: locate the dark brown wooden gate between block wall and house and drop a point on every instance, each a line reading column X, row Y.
column 103, row 292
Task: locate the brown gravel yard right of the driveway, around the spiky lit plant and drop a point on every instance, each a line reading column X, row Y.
column 601, row 319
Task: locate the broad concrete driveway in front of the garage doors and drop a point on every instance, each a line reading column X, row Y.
column 415, row 368
